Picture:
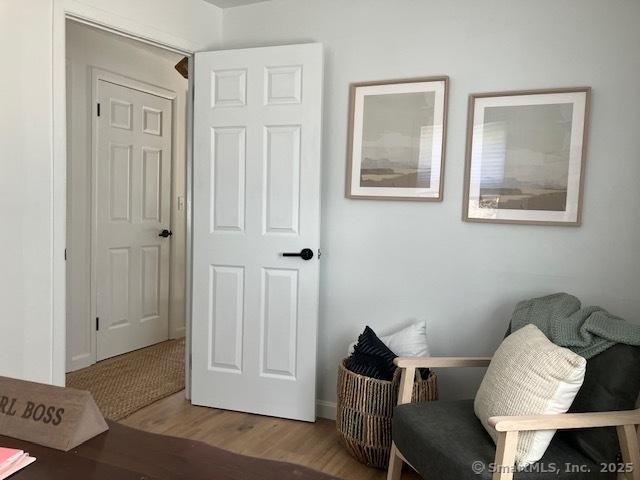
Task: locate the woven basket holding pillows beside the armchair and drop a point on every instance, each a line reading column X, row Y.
column 365, row 407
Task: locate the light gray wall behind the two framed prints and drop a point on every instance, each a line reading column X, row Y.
column 386, row 262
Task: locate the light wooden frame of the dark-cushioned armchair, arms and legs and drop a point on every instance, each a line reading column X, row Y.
column 508, row 428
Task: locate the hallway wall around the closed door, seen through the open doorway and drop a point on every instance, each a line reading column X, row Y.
column 86, row 48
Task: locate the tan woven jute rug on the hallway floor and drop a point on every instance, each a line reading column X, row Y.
column 123, row 385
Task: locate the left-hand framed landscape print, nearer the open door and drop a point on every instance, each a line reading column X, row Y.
column 397, row 135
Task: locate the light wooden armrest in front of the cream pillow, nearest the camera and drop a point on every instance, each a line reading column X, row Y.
column 565, row 421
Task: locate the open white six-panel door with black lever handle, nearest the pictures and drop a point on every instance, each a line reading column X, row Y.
column 256, row 195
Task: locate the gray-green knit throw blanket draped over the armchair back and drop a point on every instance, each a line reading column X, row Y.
column 587, row 331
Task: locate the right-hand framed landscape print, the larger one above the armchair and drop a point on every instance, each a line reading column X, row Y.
column 525, row 156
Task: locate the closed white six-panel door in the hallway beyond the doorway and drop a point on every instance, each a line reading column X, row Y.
column 133, row 192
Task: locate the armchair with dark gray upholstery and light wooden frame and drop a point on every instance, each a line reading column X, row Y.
column 444, row 439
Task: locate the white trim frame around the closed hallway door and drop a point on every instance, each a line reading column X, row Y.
column 97, row 75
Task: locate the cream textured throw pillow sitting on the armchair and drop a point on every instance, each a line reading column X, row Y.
column 529, row 375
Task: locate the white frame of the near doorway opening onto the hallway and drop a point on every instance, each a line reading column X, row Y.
column 98, row 18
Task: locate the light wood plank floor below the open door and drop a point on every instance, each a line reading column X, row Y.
column 314, row 445
